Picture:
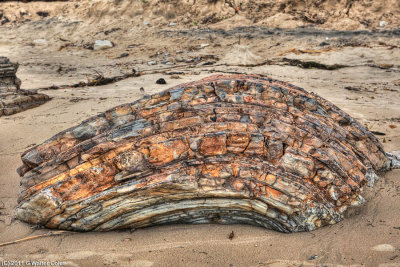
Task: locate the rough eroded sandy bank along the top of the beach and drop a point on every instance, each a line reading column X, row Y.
column 333, row 14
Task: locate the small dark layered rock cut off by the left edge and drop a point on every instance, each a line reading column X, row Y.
column 12, row 98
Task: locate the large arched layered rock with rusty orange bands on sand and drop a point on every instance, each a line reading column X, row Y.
column 225, row 149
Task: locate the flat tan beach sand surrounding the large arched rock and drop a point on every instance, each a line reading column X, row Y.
column 370, row 236
